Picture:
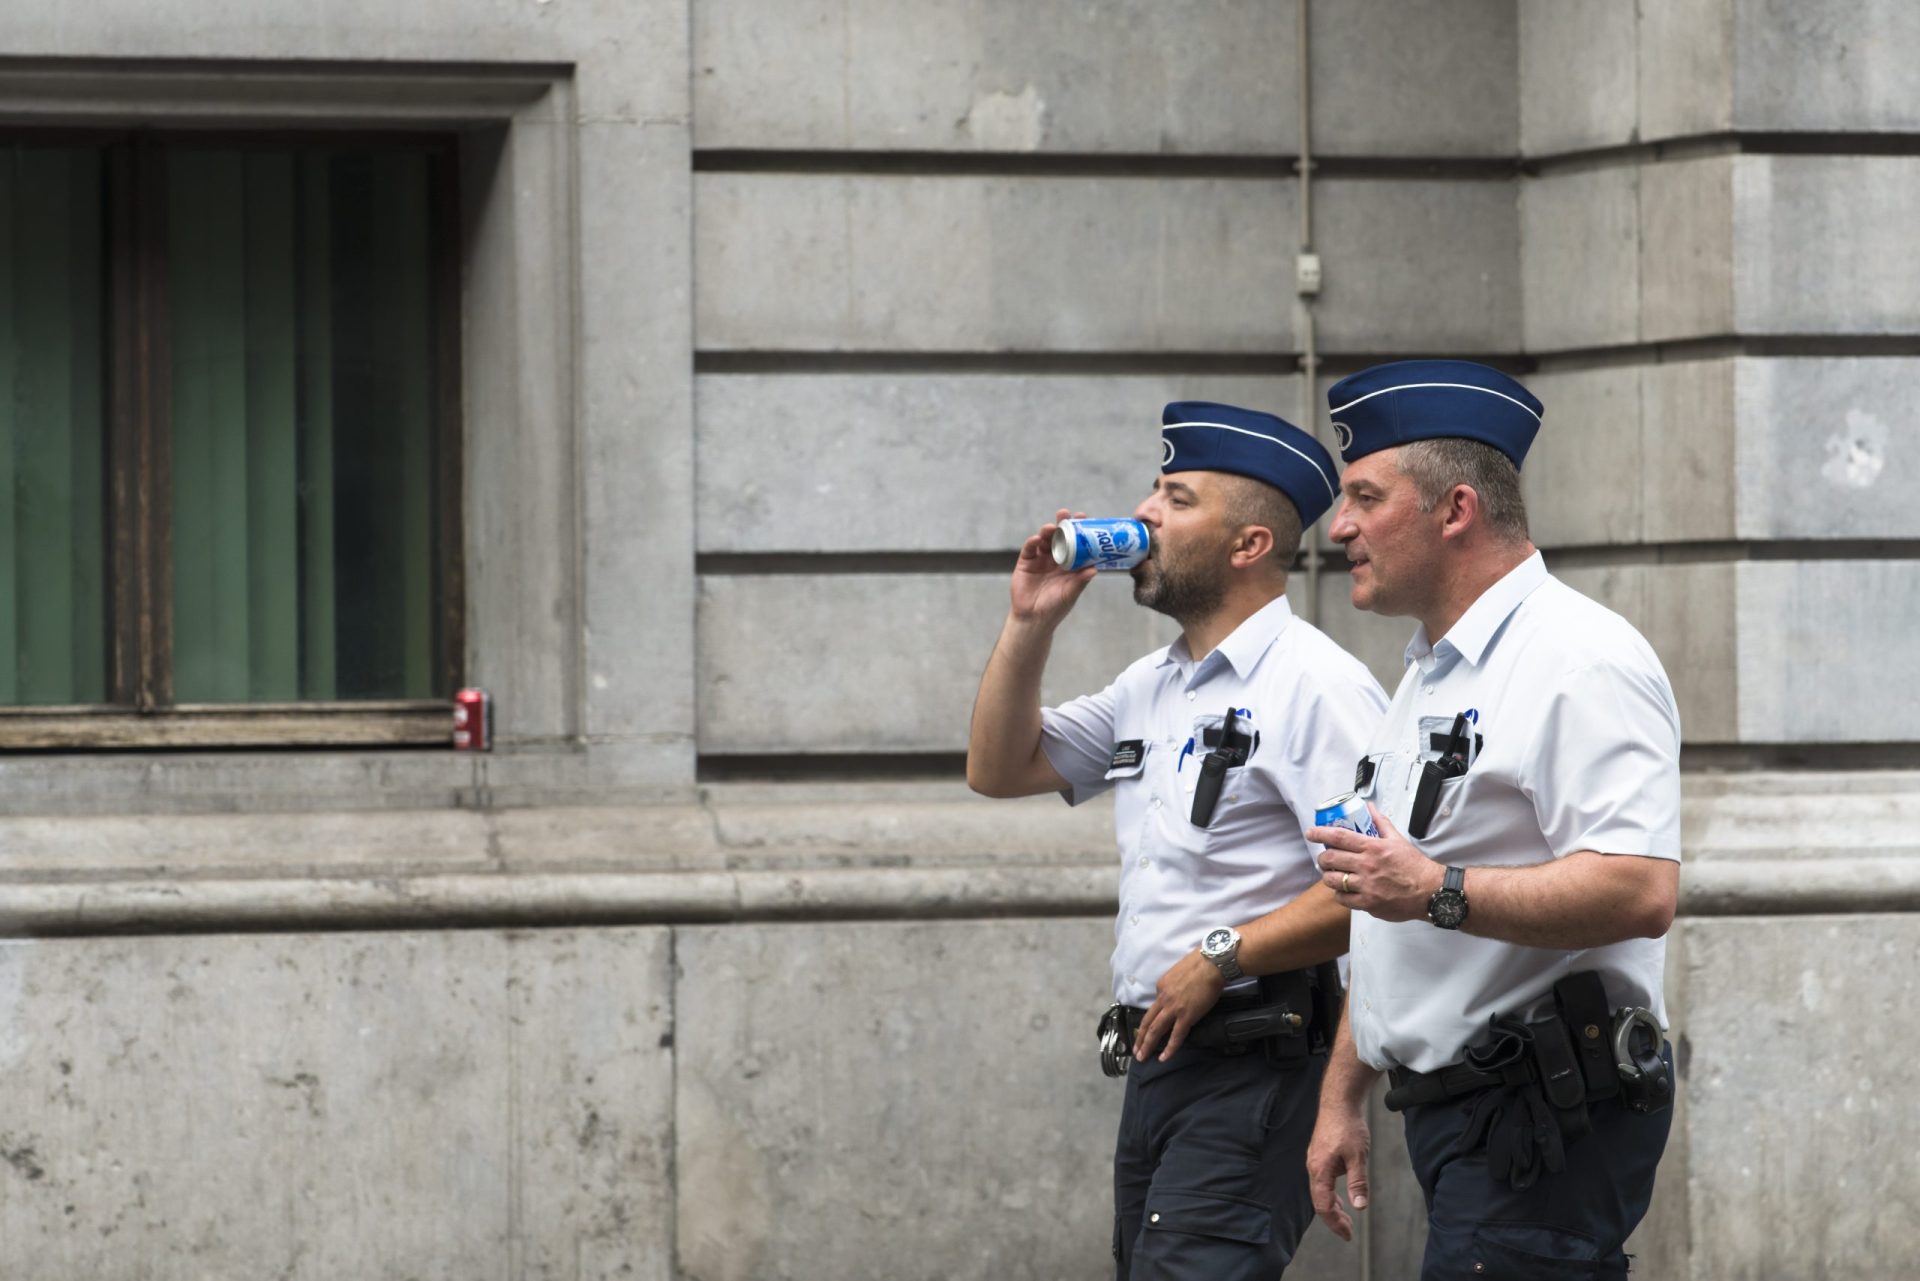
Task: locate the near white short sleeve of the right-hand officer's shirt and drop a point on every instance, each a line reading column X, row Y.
column 1604, row 771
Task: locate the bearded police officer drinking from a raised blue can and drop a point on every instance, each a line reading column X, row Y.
column 1218, row 750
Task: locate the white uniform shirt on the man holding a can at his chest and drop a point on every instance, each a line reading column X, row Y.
column 1579, row 752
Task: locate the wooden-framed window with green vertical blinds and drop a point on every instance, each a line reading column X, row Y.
column 229, row 441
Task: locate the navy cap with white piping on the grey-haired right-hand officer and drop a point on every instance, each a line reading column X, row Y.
column 1426, row 400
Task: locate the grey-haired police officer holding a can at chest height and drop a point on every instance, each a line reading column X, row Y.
column 1510, row 917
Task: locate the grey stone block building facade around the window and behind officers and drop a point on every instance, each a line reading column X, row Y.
column 784, row 320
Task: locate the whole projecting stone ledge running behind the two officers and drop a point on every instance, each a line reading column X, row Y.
column 1756, row 844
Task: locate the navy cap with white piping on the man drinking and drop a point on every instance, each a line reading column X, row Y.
column 1205, row 437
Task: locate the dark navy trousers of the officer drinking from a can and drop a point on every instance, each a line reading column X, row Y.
column 1211, row 1172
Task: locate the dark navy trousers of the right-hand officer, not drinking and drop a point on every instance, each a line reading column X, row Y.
column 1570, row 1226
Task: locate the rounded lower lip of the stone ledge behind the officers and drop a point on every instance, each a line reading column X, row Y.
column 506, row 902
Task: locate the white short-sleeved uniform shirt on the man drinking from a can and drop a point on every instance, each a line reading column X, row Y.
column 1312, row 708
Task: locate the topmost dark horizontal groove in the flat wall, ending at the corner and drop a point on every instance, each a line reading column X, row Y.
column 1095, row 164
